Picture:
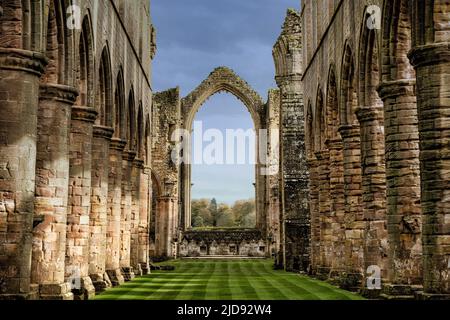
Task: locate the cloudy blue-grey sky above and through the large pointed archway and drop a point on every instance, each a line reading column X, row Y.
column 196, row 36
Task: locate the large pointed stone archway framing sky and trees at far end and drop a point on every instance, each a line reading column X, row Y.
column 222, row 79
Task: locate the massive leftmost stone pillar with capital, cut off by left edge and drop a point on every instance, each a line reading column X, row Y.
column 20, row 71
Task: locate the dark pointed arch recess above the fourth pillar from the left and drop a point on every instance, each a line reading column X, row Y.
column 104, row 101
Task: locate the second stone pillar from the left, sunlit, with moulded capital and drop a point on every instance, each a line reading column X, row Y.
column 52, row 183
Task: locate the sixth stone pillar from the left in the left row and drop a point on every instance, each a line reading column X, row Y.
column 126, row 215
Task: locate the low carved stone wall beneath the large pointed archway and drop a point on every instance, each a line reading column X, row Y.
column 245, row 243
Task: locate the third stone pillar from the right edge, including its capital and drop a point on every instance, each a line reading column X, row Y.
column 373, row 170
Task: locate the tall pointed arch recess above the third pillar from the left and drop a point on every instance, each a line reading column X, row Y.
column 85, row 76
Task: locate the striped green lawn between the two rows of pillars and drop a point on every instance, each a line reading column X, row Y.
column 225, row 280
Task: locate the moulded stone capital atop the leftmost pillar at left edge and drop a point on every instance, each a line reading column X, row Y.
column 23, row 60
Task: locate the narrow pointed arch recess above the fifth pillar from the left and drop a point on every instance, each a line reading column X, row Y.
column 120, row 109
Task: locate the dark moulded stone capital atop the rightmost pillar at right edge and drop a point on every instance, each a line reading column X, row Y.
column 430, row 54
